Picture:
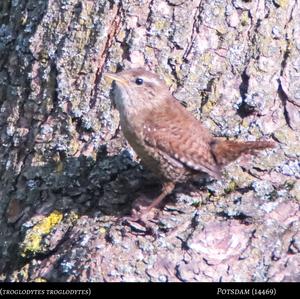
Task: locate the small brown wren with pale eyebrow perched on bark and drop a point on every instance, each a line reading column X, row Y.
column 168, row 139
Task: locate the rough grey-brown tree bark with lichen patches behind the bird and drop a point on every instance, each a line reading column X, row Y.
column 67, row 172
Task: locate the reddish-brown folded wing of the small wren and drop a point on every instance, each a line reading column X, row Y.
column 179, row 135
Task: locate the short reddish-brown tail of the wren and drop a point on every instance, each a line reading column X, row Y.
column 226, row 151
